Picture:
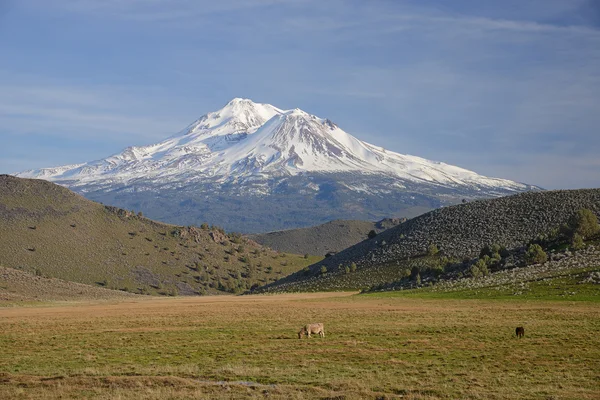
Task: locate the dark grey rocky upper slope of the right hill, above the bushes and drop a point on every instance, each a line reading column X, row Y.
column 459, row 231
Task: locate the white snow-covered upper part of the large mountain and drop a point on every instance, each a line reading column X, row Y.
column 245, row 141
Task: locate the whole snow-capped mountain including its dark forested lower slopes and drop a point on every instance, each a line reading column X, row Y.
column 258, row 150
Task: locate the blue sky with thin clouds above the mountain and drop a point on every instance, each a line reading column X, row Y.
column 506, row 88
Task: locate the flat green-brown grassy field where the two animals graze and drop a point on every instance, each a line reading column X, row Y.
column 391, row 346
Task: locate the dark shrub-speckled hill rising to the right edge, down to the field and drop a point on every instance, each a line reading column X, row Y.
column 446, row 243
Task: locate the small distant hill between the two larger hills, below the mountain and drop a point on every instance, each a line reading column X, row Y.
column 332, row 237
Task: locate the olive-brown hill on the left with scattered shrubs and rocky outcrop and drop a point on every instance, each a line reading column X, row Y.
column 48, row 230
